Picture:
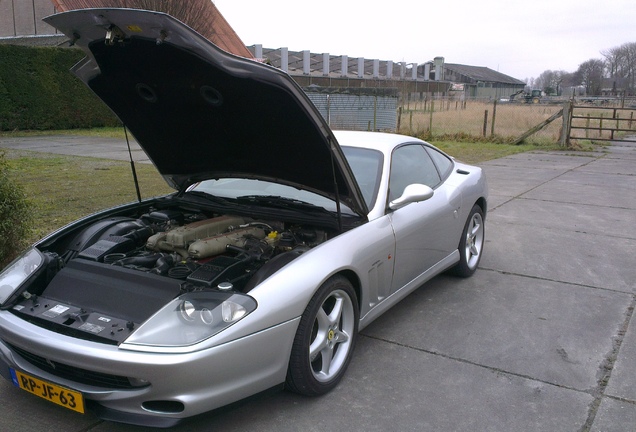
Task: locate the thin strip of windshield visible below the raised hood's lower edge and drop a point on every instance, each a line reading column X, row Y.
column 247, row 190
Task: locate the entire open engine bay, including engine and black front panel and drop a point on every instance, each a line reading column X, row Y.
column 112, row 275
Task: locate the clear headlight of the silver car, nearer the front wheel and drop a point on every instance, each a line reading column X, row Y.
column 192, row 318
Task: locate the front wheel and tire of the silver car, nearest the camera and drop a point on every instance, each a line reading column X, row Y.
column 325, row 339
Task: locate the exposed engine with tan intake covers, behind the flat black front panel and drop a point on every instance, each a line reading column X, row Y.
column 201, row 251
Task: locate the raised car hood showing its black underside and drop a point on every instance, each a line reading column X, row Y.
column 199, row 112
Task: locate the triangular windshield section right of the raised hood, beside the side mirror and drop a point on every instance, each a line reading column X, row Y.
column 366, row 165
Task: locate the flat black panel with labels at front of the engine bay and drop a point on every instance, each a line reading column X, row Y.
column 99, row 299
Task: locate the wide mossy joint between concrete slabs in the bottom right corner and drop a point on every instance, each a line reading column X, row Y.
column 607, row 366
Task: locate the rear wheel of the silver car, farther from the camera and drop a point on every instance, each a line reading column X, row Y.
column 471, row 244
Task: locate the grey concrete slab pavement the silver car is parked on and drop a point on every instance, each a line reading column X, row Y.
column 542, row 338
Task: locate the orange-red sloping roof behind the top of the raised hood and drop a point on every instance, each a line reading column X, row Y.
column 201, row 15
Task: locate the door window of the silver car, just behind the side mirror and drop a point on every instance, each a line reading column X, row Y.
column 411, row 164
